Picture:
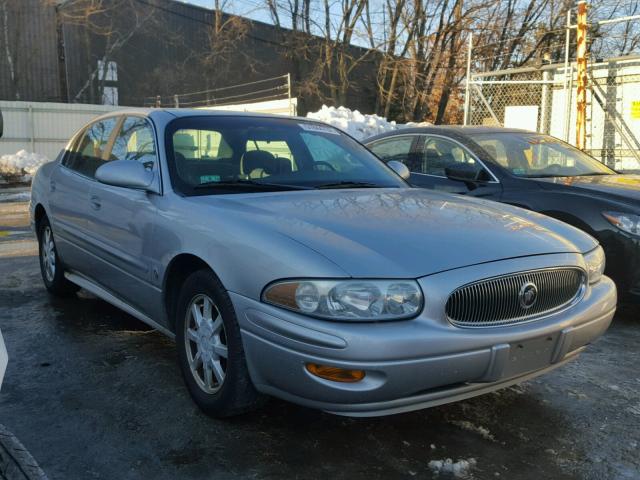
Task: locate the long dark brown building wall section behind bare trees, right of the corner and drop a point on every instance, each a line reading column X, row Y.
column 168, row 53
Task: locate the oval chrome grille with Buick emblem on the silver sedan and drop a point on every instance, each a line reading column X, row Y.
column 499, row 300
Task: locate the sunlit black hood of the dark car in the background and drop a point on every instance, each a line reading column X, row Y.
column 622, row 187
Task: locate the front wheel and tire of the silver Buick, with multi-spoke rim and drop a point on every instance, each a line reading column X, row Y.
column 204, row 334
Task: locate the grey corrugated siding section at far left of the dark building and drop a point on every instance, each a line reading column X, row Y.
column 33, row 45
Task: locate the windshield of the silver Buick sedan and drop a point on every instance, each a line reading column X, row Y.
column 235, row 154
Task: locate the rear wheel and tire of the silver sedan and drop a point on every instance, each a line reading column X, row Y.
column 51, row 267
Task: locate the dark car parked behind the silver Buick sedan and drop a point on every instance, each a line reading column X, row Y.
column 530, row 170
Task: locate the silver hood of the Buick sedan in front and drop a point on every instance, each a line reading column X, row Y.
column 405, row 233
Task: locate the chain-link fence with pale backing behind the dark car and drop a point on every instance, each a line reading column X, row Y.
column 543, row 99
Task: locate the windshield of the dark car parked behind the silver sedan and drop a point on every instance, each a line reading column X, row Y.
column 533, row 155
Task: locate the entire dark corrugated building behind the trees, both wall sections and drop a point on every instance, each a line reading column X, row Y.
column 164, row 57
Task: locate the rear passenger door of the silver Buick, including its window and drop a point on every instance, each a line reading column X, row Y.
column 70, row 192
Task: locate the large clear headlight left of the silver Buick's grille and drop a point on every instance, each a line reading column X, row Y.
column 358, row 300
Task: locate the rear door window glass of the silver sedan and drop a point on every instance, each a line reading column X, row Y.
column 89, row 152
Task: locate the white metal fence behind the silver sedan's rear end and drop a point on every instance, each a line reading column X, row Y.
column 44, row 128
